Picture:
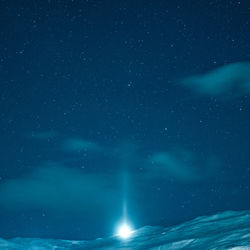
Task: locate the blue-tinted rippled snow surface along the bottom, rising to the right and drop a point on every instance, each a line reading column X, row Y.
column 227, row 230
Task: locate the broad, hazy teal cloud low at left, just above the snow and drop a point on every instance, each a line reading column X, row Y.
column 54, row 187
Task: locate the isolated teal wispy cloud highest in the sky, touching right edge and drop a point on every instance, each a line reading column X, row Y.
column 232, row 80
